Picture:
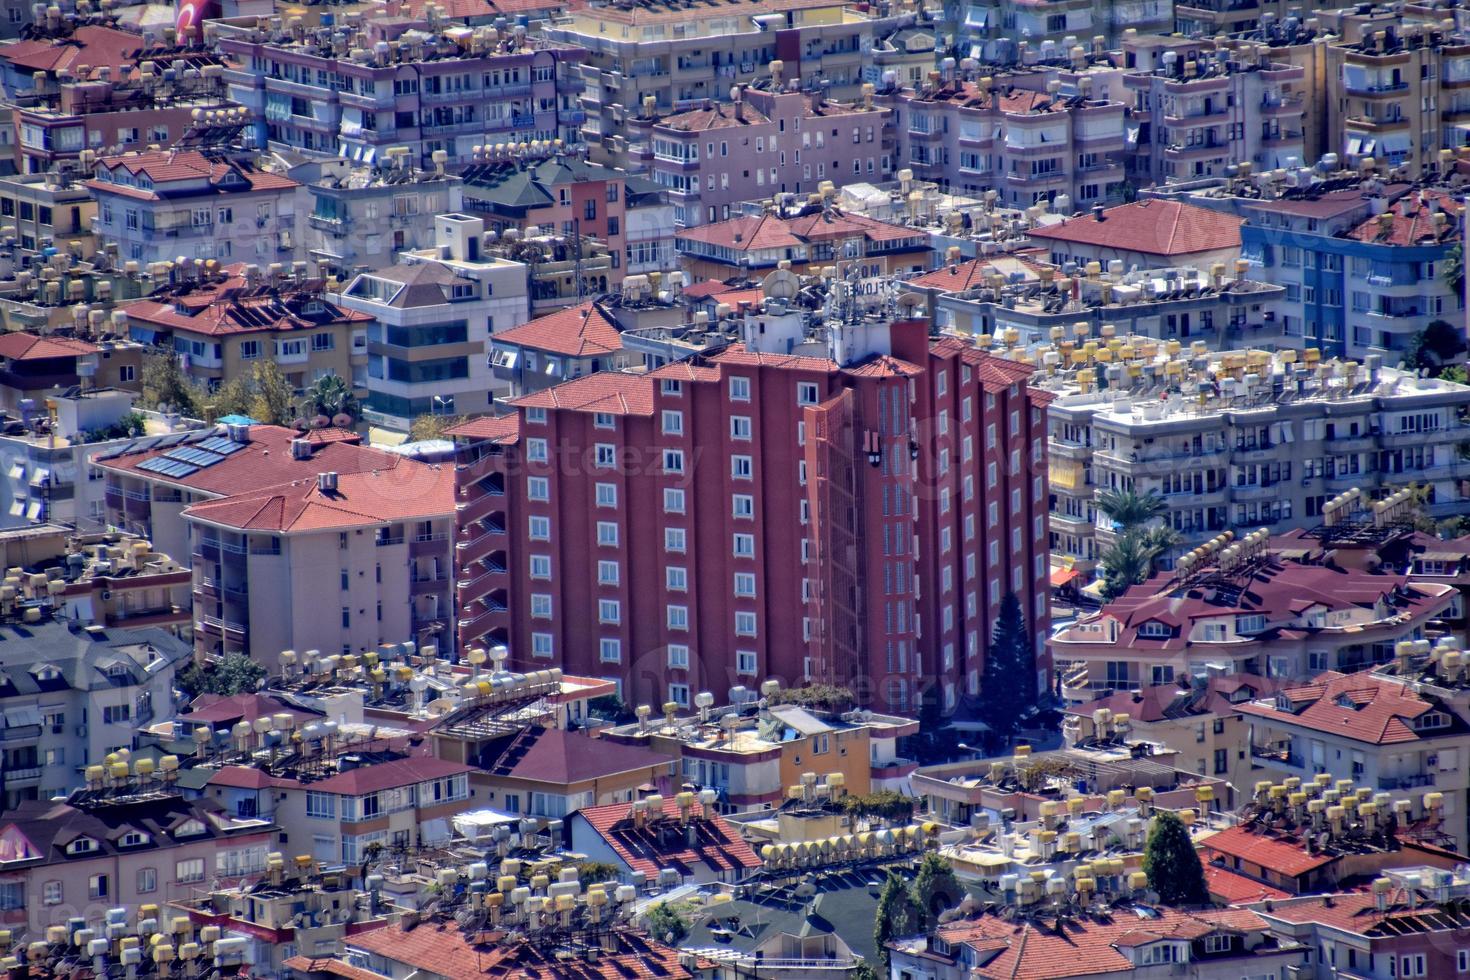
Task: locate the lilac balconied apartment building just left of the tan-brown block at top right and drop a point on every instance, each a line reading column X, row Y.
column 1203, row 111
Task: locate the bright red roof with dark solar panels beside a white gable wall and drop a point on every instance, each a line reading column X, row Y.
column 718, row 846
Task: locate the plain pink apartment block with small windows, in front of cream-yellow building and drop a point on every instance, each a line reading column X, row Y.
column 717, row 155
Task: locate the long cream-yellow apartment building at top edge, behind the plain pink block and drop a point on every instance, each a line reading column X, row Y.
column 677, row 55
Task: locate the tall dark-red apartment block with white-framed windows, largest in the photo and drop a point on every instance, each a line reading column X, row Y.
column 852, row 512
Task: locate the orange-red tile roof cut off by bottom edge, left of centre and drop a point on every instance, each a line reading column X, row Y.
column 442, row 950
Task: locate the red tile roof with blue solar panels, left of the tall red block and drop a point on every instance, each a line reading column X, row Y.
column 267, row 462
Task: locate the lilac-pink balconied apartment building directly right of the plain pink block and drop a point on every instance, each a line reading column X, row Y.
column 1030, row 146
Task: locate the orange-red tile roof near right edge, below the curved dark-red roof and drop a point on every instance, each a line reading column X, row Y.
column 1359, row 707
